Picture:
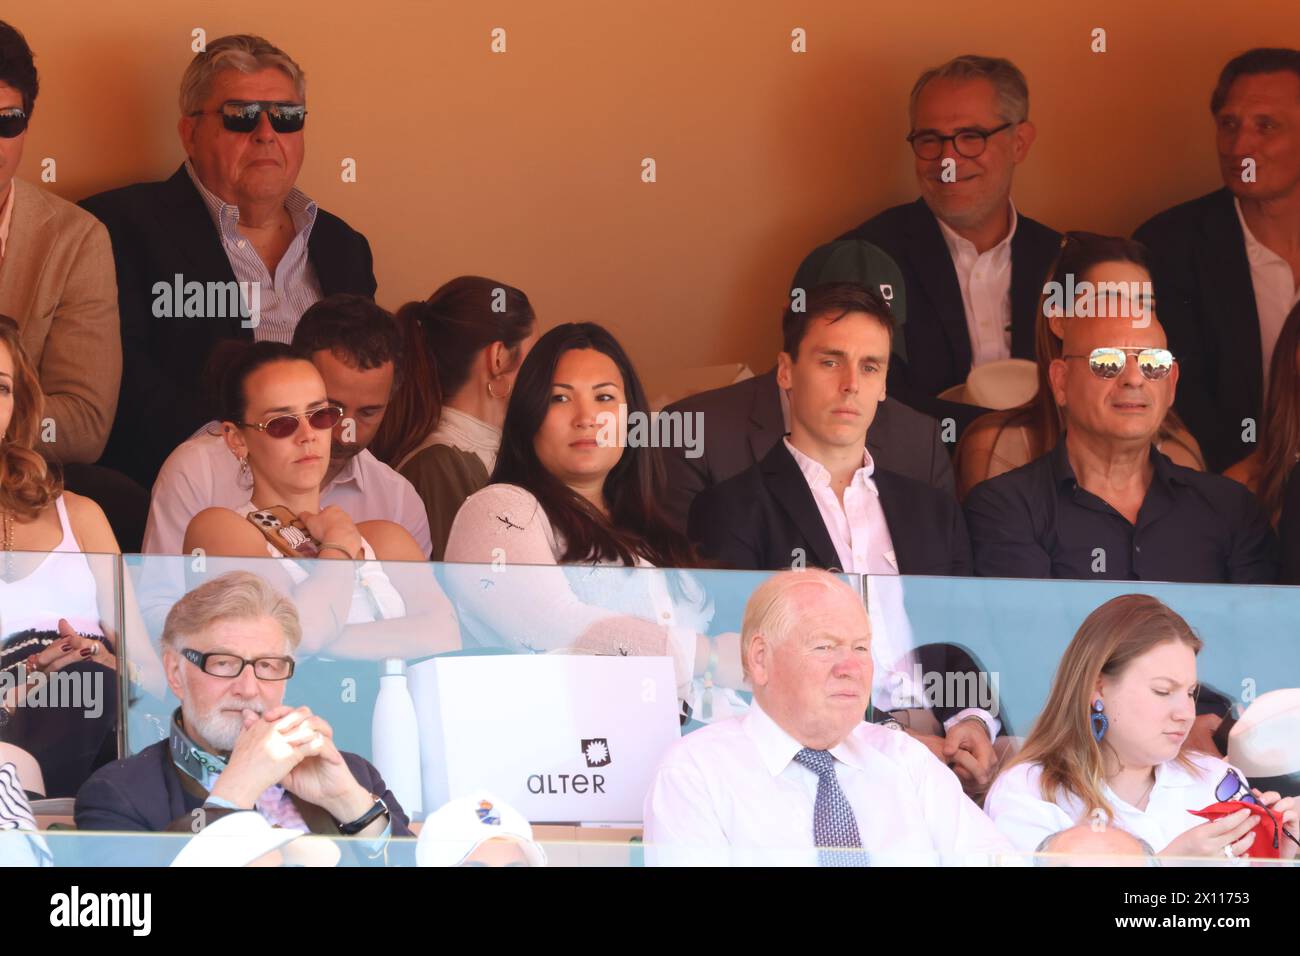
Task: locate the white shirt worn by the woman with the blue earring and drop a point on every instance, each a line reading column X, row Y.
column 1020, row 812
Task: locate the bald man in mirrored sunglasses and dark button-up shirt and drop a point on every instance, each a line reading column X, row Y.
column 1106, row 503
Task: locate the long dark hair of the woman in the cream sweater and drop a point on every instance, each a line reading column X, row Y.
column 634, row 488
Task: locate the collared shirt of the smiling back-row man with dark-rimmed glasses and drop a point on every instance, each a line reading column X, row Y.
column 986, row 284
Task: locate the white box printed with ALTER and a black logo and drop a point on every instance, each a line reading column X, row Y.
column 562, row 738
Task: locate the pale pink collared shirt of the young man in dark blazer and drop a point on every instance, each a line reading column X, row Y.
column 861, row 537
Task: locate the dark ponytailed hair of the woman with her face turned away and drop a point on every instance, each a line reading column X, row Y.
column 441, row 338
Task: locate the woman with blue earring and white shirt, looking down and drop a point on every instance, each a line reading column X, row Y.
column 1110, row 746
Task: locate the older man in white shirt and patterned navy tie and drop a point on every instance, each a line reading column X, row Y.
column 800, row 778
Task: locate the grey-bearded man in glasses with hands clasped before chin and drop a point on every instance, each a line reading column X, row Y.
column 228, row 651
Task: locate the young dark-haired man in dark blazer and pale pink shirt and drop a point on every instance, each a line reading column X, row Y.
column 818, row 499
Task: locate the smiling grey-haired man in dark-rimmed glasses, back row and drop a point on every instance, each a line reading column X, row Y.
column 973, row 266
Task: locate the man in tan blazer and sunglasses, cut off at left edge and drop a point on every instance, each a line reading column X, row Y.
column 58, row 283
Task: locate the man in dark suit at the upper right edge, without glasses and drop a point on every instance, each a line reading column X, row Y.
column 1227, row 266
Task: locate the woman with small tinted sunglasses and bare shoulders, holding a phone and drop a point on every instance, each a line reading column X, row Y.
column 278, row 423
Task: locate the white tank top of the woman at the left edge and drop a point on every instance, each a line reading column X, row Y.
column 62, row 586
